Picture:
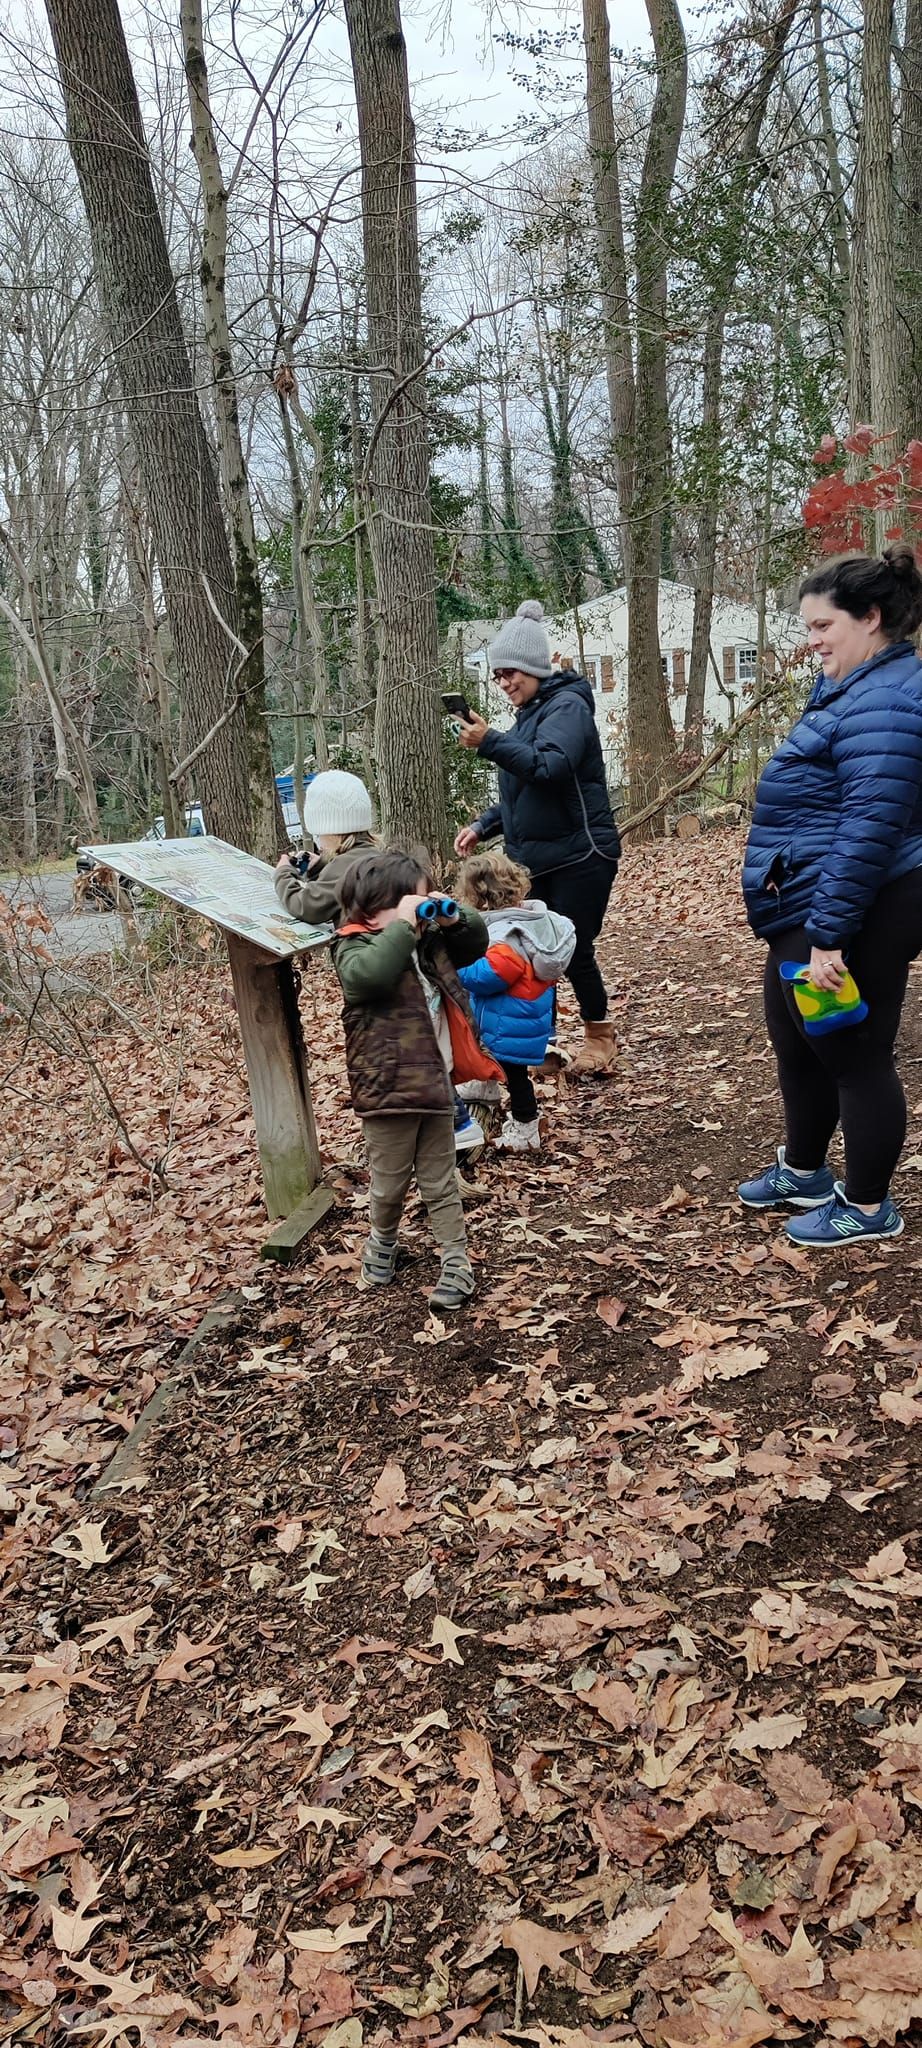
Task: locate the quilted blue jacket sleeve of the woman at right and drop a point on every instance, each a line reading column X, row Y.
column 878, row 759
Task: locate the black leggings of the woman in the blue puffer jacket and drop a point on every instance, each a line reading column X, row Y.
column 849, row 1076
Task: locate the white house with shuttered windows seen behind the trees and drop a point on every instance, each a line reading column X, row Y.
column 603, row 628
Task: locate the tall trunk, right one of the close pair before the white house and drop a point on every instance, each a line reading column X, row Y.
column 651, row 736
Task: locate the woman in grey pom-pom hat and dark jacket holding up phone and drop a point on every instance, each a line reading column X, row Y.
column 554, row 806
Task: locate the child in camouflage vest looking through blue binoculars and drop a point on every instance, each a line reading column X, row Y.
column 409, row 1039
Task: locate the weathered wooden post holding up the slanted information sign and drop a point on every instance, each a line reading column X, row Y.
column 282, row 1107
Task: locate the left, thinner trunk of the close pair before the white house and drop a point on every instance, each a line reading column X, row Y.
column 612, row 259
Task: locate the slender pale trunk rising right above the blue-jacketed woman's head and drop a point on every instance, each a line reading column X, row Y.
column 880, row 218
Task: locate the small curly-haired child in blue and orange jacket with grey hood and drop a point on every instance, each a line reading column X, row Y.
column 511, row 988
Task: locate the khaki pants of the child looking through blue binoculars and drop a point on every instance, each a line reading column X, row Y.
column 425, row 1146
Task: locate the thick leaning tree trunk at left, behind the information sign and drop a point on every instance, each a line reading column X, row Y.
column 144, row 329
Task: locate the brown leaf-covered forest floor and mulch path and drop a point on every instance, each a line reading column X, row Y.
column 550, row 1674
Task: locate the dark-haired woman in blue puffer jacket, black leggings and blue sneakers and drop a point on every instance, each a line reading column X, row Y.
column 833, row 880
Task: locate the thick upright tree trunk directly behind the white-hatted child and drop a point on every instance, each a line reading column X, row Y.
column 407, row 722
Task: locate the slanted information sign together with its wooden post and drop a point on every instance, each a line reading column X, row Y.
column 237, row 894
